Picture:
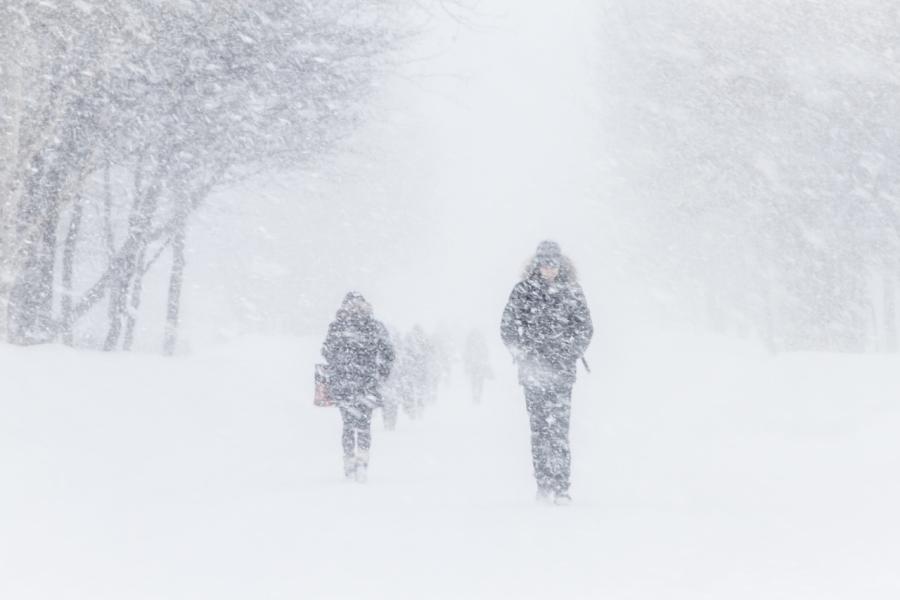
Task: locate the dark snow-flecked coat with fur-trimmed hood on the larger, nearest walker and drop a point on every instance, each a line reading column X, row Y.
column 547, row 327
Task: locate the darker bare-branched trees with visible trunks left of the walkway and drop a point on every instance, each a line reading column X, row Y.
column 119, row 118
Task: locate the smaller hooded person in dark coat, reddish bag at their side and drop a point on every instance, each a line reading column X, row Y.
column 359, row 357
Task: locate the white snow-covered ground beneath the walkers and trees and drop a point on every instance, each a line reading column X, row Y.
column 701, row 470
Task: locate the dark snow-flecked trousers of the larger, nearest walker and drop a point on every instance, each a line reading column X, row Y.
column 549, row 408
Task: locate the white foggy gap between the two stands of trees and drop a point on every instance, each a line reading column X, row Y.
column 478, row 151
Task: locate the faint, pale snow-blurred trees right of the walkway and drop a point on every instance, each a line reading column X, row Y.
column 756, row 142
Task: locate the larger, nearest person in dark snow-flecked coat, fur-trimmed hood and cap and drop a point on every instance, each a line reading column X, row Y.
column 547, row 327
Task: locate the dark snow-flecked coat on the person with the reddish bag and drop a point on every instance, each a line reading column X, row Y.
column 359, row 356
